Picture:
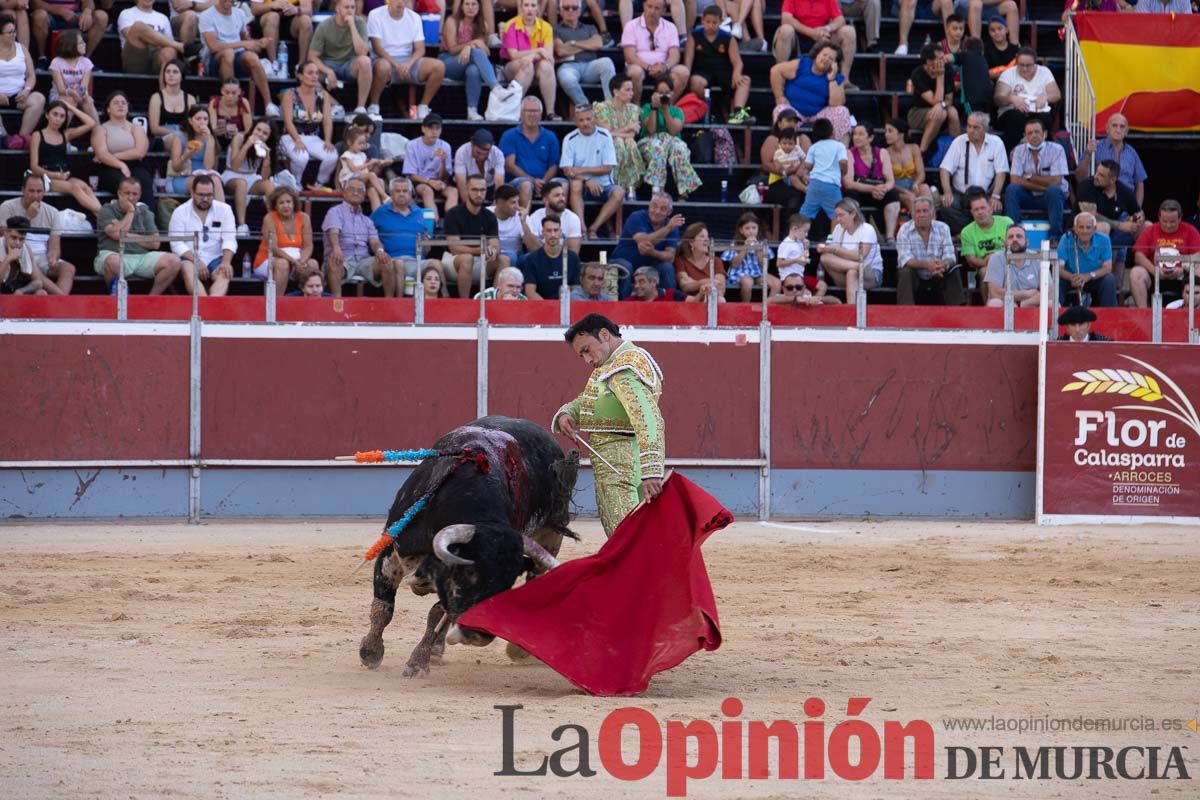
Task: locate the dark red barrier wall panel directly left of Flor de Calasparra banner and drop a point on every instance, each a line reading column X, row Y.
column 904, row 407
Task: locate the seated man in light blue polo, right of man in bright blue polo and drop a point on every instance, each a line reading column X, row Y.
column 589, row 161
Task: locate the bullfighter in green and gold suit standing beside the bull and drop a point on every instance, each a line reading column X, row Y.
column 620, row 412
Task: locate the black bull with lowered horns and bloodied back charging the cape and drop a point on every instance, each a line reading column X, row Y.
column 500, row 495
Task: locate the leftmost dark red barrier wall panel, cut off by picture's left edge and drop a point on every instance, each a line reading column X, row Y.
column 94, row 398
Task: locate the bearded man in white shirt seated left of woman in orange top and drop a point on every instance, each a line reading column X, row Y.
column 218, row 232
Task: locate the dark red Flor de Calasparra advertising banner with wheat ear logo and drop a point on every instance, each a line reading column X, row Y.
column 1121, row 434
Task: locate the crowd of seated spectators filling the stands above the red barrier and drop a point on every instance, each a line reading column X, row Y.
column 952, row 187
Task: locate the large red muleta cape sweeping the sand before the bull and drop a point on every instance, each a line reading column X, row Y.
column 611, row 622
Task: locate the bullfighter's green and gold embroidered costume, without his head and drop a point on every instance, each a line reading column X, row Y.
column 620, row 412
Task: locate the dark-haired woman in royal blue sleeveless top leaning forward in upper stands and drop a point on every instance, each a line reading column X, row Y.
column 814, row 88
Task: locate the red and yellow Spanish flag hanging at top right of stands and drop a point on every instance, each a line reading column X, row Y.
column 1144, row 67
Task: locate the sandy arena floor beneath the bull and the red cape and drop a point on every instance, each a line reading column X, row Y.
column 221, row 661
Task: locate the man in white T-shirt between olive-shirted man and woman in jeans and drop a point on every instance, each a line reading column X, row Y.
column 398, row 38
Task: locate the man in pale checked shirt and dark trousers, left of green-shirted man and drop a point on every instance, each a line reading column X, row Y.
column 926, row 260
